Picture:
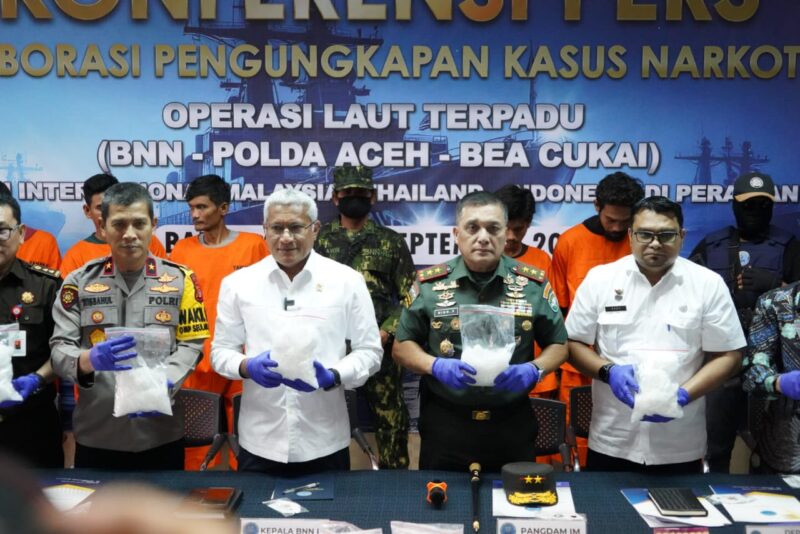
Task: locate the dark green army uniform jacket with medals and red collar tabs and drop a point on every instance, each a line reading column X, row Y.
column 432, row 318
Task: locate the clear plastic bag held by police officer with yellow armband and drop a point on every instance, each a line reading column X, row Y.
column 143, row 388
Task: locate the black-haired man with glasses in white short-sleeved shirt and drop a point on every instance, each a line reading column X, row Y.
column 652, row 310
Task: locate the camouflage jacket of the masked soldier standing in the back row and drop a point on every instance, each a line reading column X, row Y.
column 381, row 256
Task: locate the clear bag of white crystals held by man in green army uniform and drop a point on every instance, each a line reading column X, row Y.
column 487, row 340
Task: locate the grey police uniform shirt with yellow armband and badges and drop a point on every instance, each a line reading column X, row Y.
column 96, row 297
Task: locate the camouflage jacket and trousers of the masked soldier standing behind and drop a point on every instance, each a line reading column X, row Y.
column 382, row 257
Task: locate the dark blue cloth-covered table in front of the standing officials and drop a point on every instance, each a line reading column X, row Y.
column 371, row 499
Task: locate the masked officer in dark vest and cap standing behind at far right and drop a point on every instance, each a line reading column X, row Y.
column 752, row 257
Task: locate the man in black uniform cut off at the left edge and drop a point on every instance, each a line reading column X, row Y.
column 29, row 428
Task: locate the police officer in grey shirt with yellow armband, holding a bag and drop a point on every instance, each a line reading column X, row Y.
column 129, row 288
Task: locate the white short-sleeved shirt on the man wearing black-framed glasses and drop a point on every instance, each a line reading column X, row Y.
column 670, row 324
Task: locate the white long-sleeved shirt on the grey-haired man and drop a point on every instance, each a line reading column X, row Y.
column 282, row 424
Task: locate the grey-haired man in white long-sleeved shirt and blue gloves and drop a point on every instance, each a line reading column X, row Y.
column 290, row 427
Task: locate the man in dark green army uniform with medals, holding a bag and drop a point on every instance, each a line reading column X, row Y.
column 460, row 424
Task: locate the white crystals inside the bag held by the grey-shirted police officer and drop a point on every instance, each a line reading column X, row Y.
column 141, row 390
